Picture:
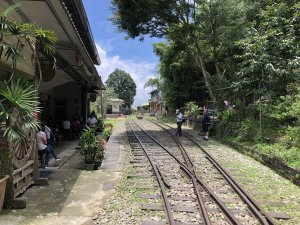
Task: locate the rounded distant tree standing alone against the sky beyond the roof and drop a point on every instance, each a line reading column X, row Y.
column 123, row 85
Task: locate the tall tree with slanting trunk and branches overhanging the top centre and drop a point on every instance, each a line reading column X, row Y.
column 206, row 28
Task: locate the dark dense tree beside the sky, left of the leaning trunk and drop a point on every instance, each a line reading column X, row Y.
column 180, row 79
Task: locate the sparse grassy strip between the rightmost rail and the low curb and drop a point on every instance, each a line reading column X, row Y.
column 258, row 178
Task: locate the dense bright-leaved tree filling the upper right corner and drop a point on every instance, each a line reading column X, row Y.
column 270, row 58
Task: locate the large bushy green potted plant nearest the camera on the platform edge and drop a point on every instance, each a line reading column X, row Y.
column 89, row 148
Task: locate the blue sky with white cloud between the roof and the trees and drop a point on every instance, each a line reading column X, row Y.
column 132, row 56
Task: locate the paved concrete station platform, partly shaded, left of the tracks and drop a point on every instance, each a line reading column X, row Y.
column 73, row 195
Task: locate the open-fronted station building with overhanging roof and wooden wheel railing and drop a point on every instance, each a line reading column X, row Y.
column 70, row 80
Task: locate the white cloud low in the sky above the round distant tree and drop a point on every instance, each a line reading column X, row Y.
column 140, row 72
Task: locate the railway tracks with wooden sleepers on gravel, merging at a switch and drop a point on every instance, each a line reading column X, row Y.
column 189, row 191
